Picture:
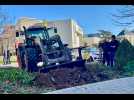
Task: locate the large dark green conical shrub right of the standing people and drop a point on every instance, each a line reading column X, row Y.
column 124, row 54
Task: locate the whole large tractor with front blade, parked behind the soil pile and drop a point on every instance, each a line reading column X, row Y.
column 42, row 50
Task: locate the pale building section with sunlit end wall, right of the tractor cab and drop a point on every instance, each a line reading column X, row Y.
column 70, row 32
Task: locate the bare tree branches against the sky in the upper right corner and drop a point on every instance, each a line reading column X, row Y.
column 124, row 16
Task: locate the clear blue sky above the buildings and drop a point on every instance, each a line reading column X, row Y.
column 90, row 17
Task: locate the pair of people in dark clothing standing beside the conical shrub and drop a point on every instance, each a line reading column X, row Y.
column 109, row 49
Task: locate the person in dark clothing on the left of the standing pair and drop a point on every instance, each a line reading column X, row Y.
column 105, row 46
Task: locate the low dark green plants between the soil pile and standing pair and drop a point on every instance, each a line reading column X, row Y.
column 101, row 72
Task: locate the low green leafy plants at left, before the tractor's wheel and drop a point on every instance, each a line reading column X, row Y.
column 15, row 75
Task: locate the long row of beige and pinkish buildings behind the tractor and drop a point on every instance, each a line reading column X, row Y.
column 70, row 32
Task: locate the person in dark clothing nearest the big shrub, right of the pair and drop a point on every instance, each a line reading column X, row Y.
column 113, row 48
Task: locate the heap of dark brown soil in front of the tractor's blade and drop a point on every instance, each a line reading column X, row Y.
column 64, row 77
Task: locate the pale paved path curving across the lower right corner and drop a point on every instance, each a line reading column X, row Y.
column 116, row 86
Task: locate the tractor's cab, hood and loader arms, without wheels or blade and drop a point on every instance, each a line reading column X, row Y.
column 48, row 42
